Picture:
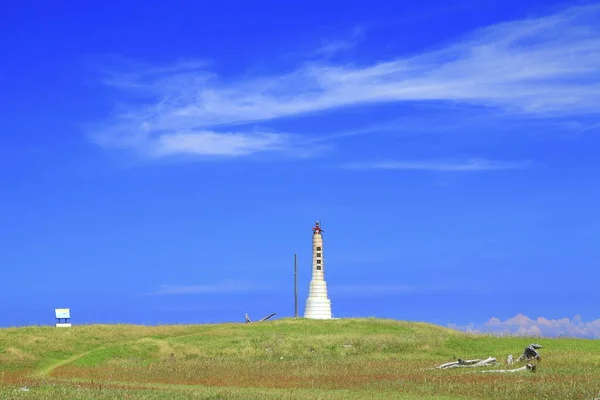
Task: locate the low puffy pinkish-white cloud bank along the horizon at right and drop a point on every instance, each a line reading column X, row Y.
column 521, row 325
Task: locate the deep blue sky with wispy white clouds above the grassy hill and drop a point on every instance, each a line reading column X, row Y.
column 163, row 162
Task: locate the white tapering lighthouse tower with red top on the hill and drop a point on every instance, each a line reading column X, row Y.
column 318, row 305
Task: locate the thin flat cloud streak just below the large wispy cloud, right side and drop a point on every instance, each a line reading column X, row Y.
column 441, row 166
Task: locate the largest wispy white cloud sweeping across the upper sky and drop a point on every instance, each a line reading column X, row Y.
column 543, row 66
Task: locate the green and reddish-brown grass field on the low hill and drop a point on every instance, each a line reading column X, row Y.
column 284, row 359
